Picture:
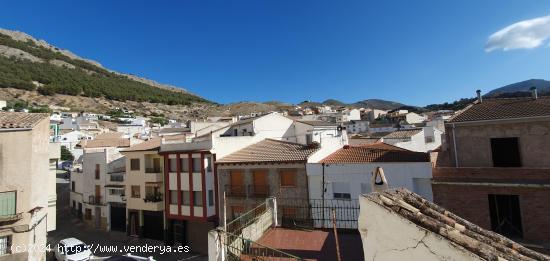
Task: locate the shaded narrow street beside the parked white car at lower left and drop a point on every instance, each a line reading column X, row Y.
column 103, row 243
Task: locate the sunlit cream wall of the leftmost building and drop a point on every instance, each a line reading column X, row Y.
column 24, row 168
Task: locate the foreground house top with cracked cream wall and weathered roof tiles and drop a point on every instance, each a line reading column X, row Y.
column 400, row 225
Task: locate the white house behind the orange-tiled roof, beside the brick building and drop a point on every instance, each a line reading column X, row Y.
column 420, row 139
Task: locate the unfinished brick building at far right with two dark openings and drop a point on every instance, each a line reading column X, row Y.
column 495, row 167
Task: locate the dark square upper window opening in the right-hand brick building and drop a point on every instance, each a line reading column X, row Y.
column 505, row 152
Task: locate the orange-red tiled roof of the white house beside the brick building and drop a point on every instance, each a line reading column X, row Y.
column 378, row 152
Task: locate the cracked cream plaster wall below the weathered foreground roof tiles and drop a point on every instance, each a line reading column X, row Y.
column 388, row 236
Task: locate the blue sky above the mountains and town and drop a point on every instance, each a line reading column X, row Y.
column 416, row 52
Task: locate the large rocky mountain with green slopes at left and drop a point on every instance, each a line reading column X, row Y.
column 34, row 65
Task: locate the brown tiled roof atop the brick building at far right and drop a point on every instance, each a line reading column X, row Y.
column 494, row 109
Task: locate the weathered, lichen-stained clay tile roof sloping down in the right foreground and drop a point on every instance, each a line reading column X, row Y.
column 486, row 244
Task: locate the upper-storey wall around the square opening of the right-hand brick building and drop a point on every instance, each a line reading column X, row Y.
column 474, row 142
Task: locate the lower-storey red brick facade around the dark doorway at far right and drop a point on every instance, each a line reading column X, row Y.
column 465, row 191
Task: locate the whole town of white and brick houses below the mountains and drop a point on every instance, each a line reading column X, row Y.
column 313, row 182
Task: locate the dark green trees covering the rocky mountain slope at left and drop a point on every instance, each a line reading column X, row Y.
column 84, row 80
